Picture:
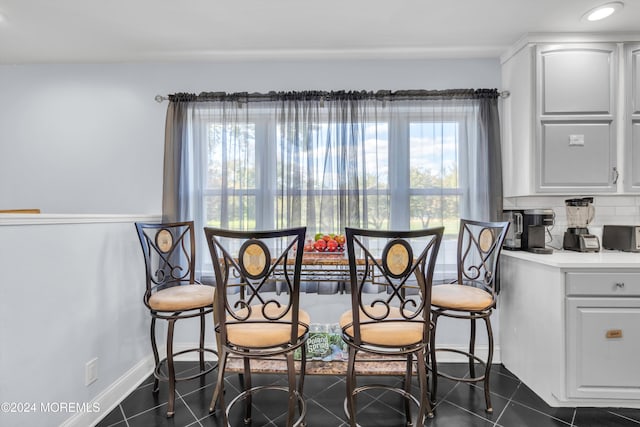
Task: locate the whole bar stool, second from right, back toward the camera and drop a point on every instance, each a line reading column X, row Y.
column 396, row 323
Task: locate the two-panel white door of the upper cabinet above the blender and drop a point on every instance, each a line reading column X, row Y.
column 576, row 121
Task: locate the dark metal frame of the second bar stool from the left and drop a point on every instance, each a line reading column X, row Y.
column 230, row 267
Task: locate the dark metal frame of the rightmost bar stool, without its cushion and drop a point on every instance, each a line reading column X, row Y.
column 478, row 267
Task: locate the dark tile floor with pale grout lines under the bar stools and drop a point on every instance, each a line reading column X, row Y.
column 459, row 405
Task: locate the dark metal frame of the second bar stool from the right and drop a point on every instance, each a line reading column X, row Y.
column 411, row 309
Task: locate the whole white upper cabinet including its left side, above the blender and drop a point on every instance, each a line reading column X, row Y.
column 560, row 120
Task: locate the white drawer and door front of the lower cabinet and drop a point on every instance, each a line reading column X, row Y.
column 603, row 337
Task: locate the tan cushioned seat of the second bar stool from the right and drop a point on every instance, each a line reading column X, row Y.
column 397, row 333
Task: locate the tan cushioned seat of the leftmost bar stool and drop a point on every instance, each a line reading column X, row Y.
column 185, row 297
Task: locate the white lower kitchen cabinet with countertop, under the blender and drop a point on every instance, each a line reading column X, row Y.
column 570, row 326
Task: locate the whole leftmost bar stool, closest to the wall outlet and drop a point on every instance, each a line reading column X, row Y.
column 172, row 294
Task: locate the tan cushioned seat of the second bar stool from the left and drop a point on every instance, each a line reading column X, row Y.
column 264, row 335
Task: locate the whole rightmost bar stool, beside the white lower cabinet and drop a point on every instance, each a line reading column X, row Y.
column 471, row 296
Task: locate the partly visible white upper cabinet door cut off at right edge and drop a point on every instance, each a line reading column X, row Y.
column 632, row 122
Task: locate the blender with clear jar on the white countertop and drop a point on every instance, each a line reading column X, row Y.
column 580, row 213
